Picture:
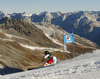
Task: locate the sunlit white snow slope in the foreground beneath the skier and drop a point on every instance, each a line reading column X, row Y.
column 86, row 66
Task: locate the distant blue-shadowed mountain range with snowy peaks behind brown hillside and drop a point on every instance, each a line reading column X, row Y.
column 85, row 23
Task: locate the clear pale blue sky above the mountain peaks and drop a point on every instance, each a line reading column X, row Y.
column 33, row 6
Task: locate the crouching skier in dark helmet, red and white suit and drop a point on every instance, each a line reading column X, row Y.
column 52, row 59
